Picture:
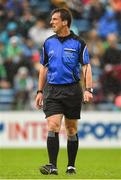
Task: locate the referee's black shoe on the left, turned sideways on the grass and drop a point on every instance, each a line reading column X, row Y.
column 49, row 169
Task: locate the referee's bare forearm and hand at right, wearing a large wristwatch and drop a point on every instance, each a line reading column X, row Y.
column 86, row 78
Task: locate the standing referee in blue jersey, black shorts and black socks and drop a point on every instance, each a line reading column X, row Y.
column 64, row 61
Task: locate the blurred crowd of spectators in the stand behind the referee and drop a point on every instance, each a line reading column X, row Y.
column 24, row 25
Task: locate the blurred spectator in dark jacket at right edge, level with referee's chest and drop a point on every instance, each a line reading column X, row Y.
column 112, row 66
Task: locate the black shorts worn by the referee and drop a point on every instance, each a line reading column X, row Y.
column 63, row 99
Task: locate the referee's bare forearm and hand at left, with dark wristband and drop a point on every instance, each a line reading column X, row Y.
column 41, row 84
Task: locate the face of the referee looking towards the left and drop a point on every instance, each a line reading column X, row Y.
column 56, row 22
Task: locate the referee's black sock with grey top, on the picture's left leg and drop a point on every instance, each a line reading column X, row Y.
column 53, row 147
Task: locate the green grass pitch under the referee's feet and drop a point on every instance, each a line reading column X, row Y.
column 90, row 164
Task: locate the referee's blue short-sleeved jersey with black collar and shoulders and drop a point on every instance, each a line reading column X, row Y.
column 63, row 57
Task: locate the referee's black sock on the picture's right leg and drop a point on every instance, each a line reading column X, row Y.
column 72, row 147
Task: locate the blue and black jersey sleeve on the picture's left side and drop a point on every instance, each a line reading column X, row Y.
column 44, row 56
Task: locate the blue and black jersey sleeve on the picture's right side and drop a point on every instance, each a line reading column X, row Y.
column 84, row 54
